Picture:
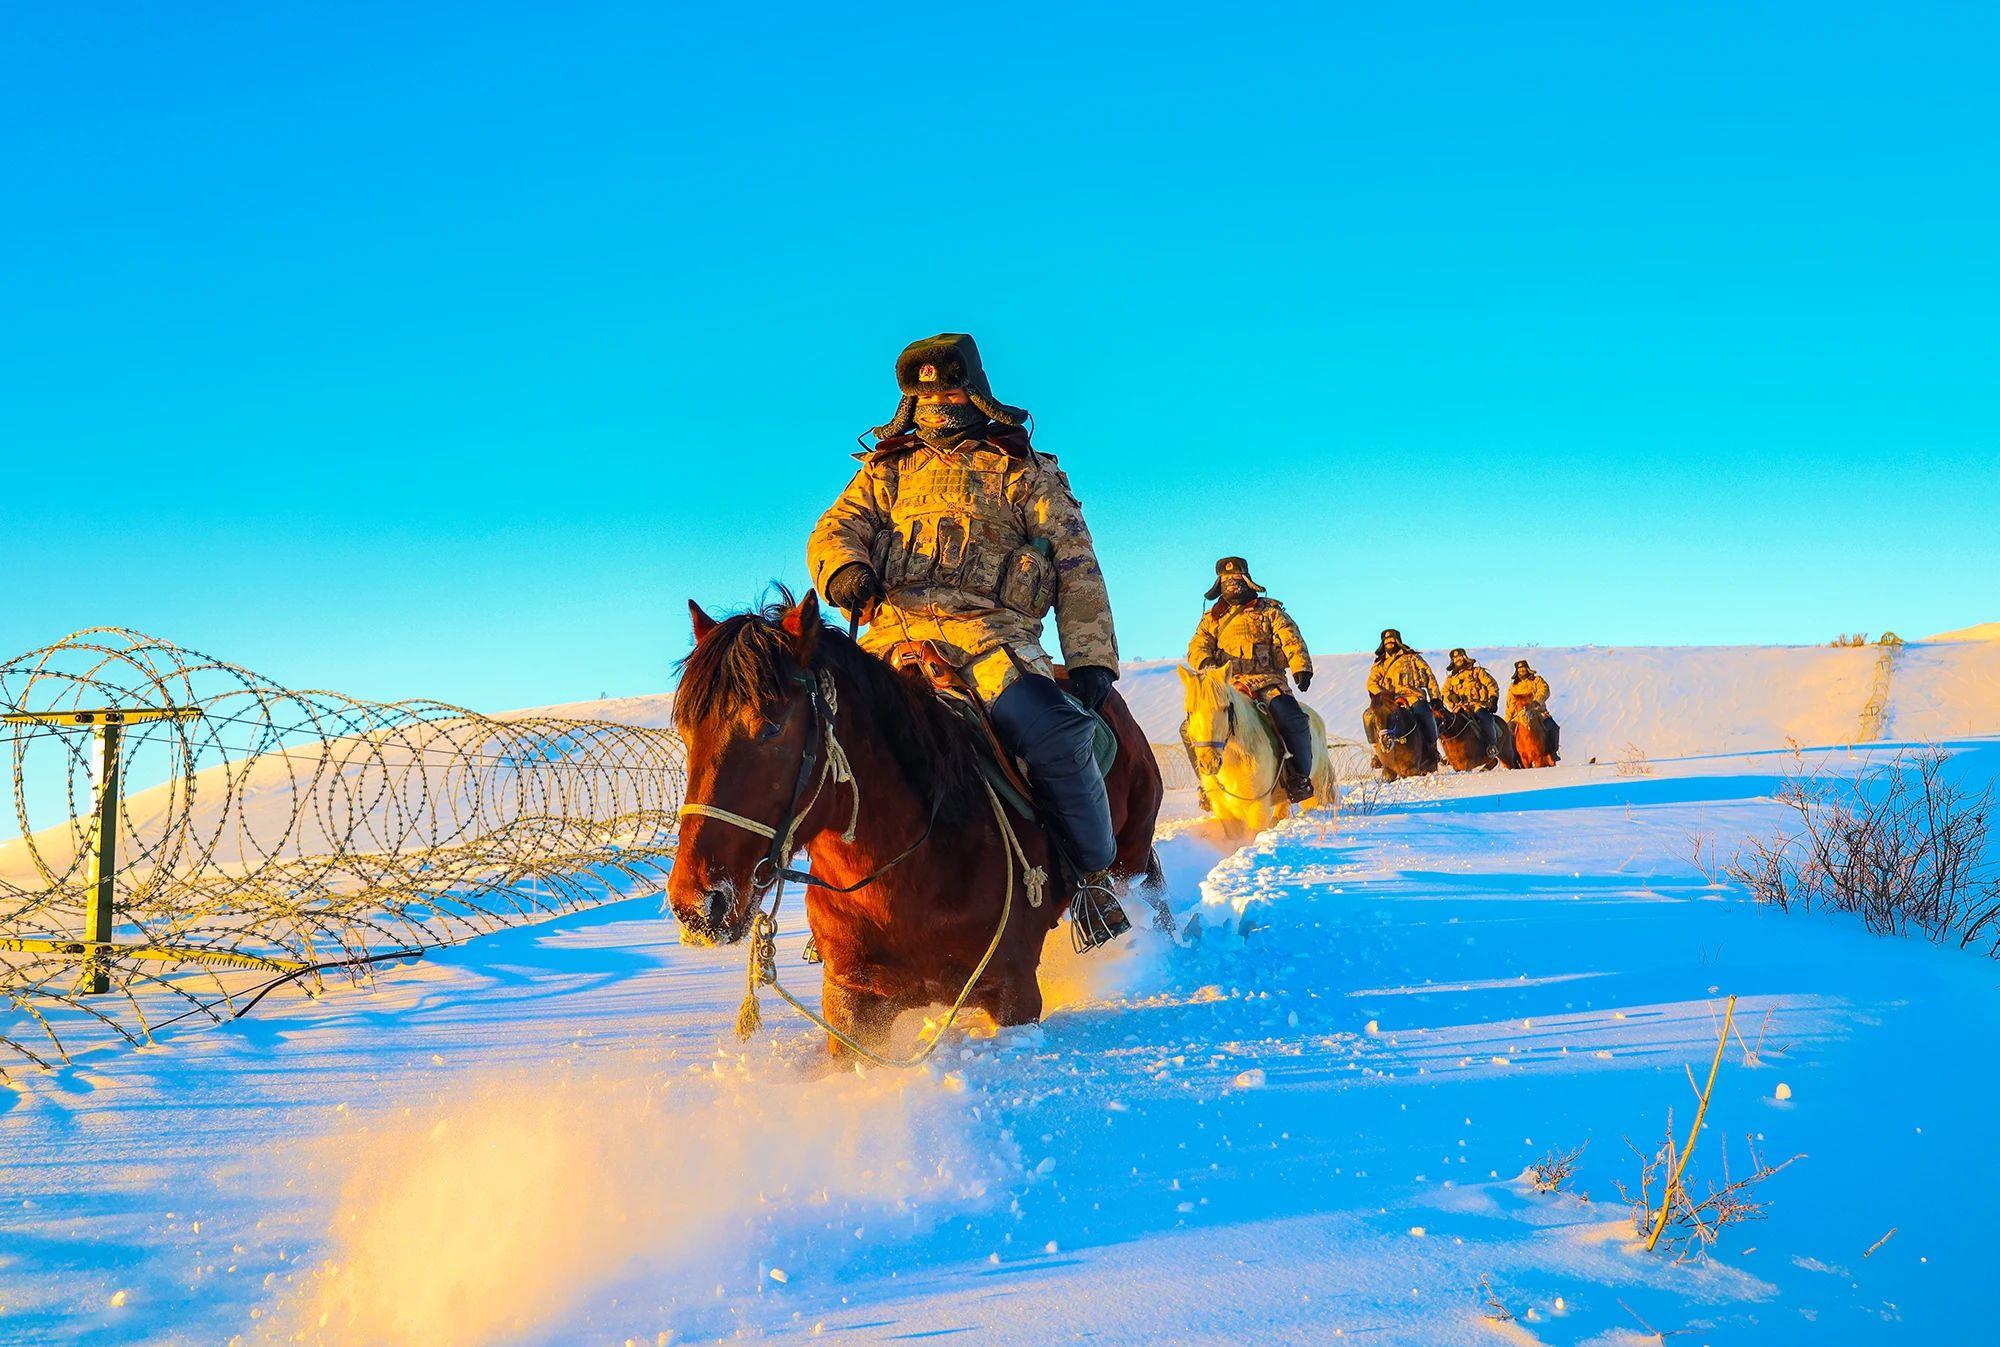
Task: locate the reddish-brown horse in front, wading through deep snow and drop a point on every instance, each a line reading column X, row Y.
column 911, row 862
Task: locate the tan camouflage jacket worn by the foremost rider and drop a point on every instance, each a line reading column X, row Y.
column 975, row 547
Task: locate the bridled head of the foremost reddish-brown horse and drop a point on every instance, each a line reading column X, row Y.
column 747, row 714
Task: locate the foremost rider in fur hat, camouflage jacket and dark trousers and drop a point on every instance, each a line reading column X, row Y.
column 961, row 537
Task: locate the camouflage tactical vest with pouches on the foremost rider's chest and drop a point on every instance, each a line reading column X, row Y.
column 955, row 529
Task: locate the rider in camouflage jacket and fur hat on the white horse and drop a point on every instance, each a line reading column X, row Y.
column 1257, row 643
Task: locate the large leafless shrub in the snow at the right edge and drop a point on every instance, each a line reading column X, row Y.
column 1903, row 848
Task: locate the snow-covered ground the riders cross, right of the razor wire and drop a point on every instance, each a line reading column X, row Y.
column 1305, row 1126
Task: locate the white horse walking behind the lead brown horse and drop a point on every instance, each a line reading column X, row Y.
column 1239, row 758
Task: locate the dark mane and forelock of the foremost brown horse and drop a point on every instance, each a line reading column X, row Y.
column 747, row 661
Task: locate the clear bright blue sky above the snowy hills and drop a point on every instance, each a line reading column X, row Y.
column 447, row 351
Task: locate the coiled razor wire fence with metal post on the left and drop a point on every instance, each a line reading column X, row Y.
column 277, row 834
